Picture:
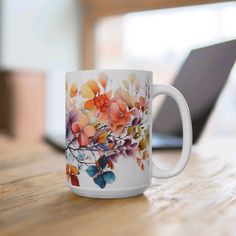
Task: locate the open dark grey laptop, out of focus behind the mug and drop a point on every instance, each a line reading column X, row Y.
column 201, row 80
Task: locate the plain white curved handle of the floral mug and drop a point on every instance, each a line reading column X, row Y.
column 157, row 171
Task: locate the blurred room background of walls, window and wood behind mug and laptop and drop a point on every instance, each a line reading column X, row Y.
column 41, row 40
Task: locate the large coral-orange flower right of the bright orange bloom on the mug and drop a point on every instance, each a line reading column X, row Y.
column 119, row 115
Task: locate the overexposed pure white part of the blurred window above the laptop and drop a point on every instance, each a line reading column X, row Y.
column 155, row 34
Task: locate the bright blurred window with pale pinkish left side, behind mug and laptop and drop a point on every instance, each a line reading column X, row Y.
column 159, row 40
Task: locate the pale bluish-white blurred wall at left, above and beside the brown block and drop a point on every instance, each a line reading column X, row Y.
column 43, row 35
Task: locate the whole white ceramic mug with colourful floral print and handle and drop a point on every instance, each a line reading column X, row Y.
column 108, row 132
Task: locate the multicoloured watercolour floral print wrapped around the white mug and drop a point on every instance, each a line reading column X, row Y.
column 105, row 125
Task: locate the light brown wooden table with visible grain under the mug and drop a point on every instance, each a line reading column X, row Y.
column 34, row 199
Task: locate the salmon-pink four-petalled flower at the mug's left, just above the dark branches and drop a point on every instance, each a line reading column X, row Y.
column 83, row 130
